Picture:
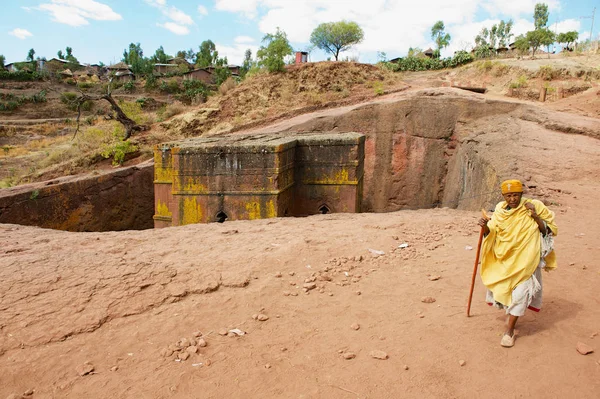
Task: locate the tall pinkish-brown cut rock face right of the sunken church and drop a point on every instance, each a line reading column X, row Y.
column 414, row 155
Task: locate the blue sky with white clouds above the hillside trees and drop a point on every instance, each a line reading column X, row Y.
column 99, row 30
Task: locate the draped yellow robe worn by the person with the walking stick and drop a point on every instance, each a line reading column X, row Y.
column 511, row 252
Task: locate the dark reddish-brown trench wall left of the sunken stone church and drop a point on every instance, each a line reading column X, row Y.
column 115, row 200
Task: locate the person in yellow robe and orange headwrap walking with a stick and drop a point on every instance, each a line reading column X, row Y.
column 518, row 244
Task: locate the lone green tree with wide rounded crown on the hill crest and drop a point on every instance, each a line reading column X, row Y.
column 335, row 37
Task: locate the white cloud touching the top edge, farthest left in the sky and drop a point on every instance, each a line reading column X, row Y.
column 78, row 12
